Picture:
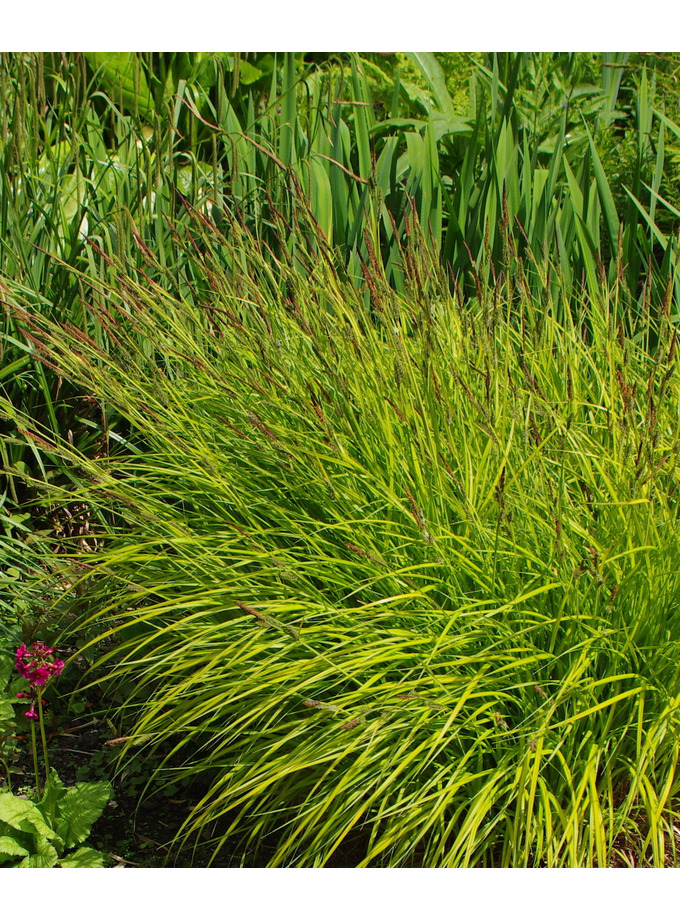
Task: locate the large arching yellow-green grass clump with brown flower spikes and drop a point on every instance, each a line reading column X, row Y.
column 391, row 579
